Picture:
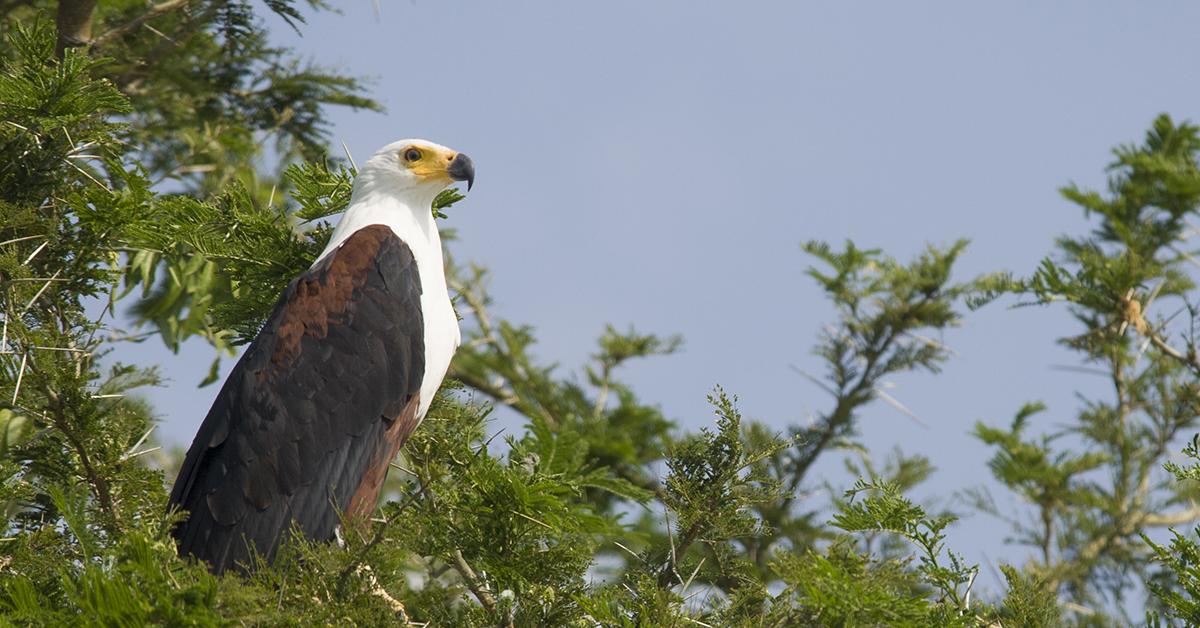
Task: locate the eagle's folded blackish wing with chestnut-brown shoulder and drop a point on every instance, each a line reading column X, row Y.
column 307, row 423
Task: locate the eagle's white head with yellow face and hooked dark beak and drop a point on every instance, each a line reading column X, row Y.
column 415, row 170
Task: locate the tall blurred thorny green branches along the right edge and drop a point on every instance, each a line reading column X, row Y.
column 1095, row 485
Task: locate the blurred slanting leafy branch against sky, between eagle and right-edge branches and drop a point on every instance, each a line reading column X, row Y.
column 889, row 315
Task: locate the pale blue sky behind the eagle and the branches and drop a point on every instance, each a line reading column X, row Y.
column 659, row 164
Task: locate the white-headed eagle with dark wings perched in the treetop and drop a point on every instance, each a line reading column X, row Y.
column 305, row 426
